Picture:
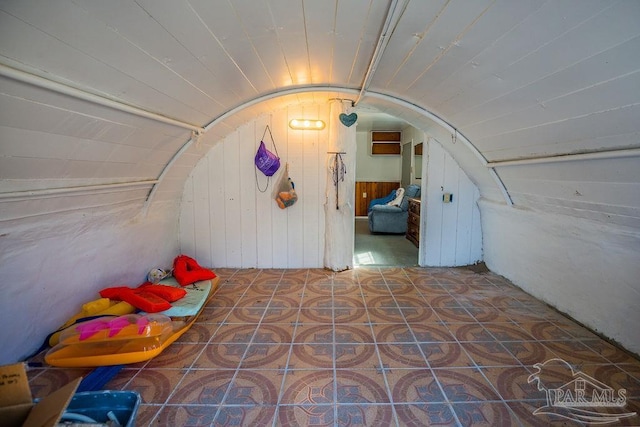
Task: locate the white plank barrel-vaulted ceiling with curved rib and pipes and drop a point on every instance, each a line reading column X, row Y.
column 107, row 93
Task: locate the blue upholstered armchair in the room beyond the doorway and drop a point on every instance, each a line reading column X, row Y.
column 385, row 218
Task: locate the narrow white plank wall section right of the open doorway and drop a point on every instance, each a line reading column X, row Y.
column 450, row 233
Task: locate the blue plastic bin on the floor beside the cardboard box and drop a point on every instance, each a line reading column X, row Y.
column 96, row 405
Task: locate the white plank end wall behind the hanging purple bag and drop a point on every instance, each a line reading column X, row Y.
column 226, row 221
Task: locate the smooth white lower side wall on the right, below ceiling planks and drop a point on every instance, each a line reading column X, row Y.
column 587, row 269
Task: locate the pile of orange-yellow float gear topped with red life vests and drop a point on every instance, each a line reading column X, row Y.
column 130, row 325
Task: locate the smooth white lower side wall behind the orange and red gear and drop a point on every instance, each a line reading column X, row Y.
column 51, row 267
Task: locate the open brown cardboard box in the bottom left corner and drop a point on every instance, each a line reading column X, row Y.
column 16, row 402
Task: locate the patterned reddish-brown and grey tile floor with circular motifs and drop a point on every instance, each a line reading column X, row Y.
column 366, row 347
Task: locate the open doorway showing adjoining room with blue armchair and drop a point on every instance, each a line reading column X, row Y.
column 385, row 162
